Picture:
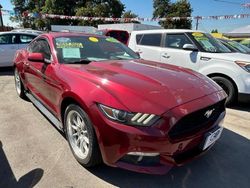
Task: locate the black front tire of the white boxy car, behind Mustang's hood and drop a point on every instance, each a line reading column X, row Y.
column 228, row 87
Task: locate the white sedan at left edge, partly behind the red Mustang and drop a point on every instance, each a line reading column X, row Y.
column 10, row 42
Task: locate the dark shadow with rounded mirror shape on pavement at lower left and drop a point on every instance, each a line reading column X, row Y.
column 8, row 179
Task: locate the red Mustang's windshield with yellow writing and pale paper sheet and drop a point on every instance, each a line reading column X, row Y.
column 84, row 49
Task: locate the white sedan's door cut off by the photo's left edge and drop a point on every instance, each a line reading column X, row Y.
column 8, row 48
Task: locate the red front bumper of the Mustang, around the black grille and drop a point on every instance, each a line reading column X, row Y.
column 117, row 141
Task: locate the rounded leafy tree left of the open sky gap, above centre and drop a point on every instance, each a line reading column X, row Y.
column 100, row 8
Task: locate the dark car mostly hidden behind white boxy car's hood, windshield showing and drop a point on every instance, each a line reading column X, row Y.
column 235, row 46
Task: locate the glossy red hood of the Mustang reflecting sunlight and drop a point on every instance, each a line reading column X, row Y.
column 145, row 86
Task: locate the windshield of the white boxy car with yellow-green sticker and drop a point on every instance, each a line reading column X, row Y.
column 209, row 43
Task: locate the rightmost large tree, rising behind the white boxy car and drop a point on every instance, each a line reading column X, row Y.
column 166, row 9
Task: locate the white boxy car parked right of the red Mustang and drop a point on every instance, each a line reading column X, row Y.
column 198, row 51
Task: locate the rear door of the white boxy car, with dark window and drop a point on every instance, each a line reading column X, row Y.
column 149, row 46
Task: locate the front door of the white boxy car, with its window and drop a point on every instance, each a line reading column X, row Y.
column 173, row 52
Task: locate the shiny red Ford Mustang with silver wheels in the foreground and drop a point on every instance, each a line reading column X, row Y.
column 117, row 108
